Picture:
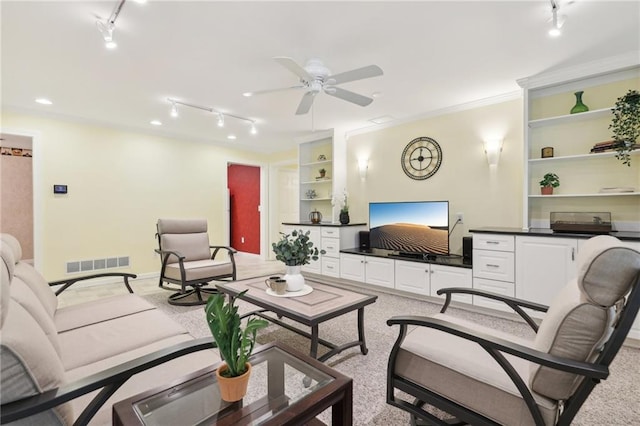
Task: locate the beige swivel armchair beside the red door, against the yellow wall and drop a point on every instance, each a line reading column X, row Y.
column 189, row 261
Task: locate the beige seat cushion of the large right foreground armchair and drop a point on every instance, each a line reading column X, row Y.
column 464, row 372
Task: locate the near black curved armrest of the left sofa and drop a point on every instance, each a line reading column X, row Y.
column 109, row 380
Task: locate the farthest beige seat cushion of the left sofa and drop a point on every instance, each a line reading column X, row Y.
column 99, row 310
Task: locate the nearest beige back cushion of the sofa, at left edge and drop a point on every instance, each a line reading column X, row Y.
column 30, row 365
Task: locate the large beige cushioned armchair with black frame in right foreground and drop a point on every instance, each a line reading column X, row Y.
column 480, row 376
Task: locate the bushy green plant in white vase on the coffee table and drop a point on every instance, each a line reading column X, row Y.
column 295, row 249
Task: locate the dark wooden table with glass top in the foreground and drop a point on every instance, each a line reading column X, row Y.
column 276, row 395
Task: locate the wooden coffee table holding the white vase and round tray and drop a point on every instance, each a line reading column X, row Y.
column 325, row 302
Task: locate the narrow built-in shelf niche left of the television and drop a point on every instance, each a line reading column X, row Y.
column 316, row 188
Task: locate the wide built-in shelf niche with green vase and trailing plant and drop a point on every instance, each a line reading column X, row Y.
column 588, row 181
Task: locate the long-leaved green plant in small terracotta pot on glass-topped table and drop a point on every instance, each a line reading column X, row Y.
column 234, row 343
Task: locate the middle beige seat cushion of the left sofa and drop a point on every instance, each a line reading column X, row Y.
column 86, row 345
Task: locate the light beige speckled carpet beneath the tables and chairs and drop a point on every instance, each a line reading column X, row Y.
column 613, row 402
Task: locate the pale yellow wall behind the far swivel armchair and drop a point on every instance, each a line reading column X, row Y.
column 120, row 183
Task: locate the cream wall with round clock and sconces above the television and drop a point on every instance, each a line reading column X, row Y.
column 487, row 196
